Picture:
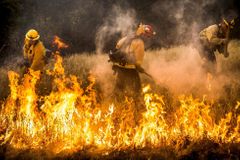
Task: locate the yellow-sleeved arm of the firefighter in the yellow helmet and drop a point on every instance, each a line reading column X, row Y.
column 38, row 60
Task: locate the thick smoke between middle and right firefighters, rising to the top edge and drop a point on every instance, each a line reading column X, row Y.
column 179, row 66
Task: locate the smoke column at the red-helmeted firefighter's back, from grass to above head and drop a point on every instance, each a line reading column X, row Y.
column 119, row 22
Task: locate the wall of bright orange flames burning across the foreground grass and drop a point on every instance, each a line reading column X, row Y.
column 70, row 118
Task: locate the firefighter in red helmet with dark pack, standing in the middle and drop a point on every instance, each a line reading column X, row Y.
column 127, row 60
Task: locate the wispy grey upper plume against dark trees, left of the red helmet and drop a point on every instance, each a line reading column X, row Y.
column 119, row 21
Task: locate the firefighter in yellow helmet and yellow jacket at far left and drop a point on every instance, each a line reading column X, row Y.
column 34, row 51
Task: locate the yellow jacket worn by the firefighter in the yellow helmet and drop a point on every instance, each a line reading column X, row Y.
column 35, row 54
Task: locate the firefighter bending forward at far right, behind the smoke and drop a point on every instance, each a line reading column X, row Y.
column 213, row 38
